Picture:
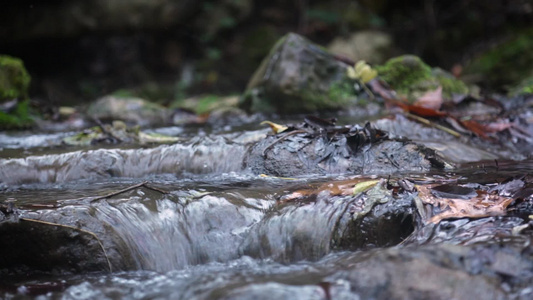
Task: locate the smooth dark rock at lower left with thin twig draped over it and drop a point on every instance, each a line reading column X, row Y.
column 32, row 246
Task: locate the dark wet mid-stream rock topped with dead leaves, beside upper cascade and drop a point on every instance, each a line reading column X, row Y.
column 299, row 152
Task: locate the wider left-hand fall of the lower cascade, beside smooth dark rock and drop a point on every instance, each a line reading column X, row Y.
column 180, row 231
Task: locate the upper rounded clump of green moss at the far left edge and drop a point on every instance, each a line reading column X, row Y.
column 14, row 79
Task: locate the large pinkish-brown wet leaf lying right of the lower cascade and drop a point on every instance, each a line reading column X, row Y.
column 482, row 205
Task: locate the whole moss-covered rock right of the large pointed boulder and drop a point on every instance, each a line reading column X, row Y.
column 412, row 78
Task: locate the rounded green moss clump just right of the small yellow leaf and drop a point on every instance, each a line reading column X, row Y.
column 404, row 73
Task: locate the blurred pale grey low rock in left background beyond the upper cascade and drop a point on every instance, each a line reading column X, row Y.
column 135, row 111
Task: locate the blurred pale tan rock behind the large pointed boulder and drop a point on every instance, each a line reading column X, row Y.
column 371, row 46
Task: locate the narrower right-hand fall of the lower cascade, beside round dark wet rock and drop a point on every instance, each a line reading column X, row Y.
column 298, row 231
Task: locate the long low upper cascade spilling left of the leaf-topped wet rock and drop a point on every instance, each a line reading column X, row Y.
column 200, row 155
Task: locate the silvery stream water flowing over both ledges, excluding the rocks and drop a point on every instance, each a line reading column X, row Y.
column 194, row 223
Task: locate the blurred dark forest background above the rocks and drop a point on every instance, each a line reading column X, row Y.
column 77, row 50
